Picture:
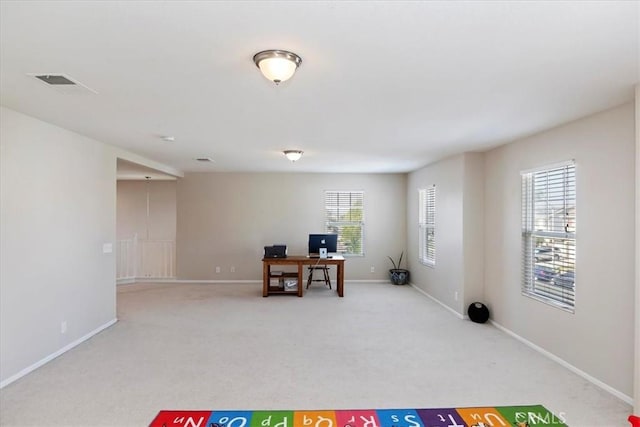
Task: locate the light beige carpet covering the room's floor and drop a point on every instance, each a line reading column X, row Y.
column 198, row 346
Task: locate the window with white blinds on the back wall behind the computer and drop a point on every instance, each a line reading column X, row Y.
column 344, row 216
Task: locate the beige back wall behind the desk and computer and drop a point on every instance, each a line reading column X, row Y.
column 226, row 219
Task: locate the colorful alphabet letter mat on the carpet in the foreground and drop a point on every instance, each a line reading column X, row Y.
column 499, row 416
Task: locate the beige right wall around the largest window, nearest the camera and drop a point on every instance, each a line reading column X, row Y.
column 598, row 338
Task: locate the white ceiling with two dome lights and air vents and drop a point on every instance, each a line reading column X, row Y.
column 383, row 87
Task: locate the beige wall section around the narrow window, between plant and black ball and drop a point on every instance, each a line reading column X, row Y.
column 456, row 279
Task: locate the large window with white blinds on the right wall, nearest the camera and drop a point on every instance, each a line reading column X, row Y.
column 549, row 234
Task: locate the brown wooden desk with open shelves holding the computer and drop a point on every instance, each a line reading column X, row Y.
column 300, row 261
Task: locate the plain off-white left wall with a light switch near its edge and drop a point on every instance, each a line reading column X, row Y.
column 57, row 209
